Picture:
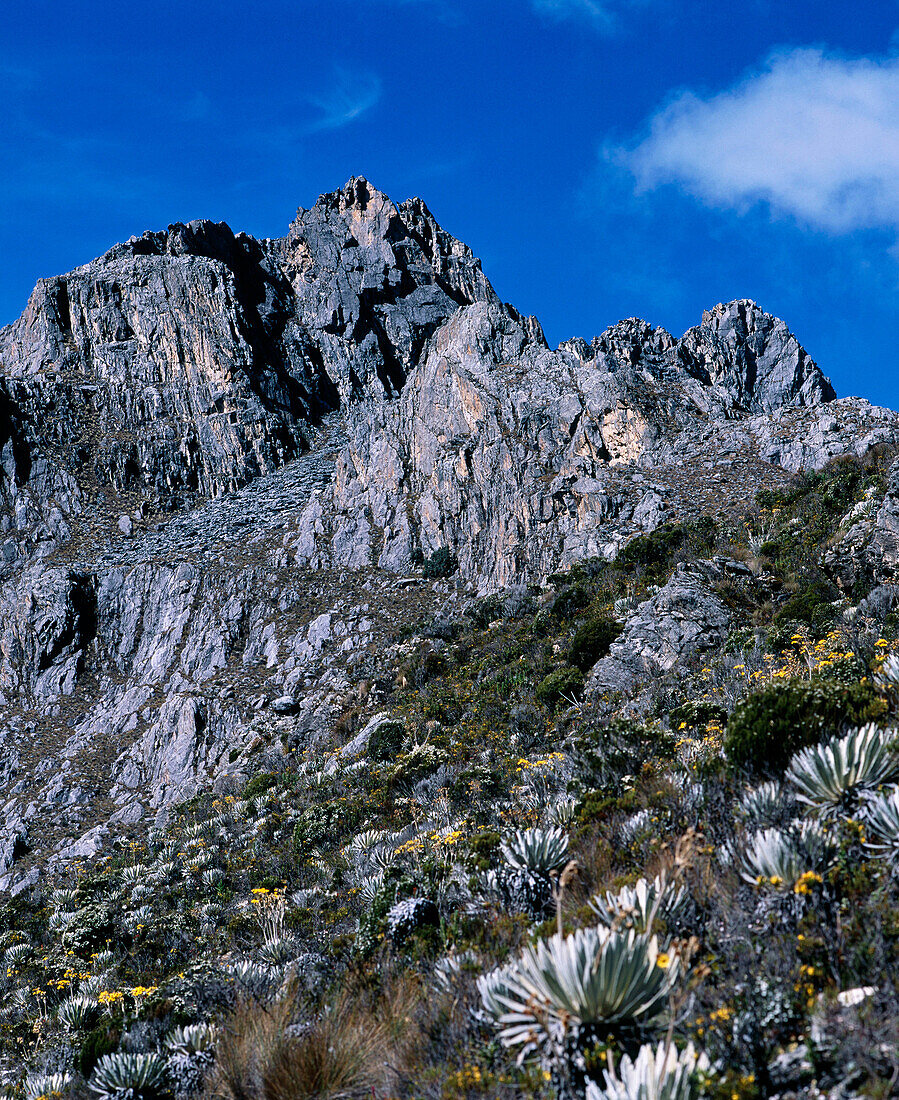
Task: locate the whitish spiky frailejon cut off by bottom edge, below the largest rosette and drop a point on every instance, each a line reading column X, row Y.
column 659, row 1073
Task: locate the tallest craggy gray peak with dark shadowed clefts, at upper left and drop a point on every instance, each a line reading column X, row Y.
column 193, row 360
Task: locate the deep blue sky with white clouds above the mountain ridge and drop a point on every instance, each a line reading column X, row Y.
column 606, row 159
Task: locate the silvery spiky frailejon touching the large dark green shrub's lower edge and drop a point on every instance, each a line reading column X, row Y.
column 829, row 778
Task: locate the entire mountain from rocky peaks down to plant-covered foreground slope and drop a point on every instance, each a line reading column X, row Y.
column 398, row 708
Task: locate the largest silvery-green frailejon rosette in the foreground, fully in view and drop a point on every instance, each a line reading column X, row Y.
column 564, row 988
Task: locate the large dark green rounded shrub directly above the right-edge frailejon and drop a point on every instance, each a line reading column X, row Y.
column 770, row 727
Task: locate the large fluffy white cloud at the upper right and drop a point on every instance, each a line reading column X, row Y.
column 815, row 137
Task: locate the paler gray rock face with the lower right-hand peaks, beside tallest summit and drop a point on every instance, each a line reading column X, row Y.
column 521, row 459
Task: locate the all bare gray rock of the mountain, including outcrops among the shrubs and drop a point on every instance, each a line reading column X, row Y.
column 225, row 460
